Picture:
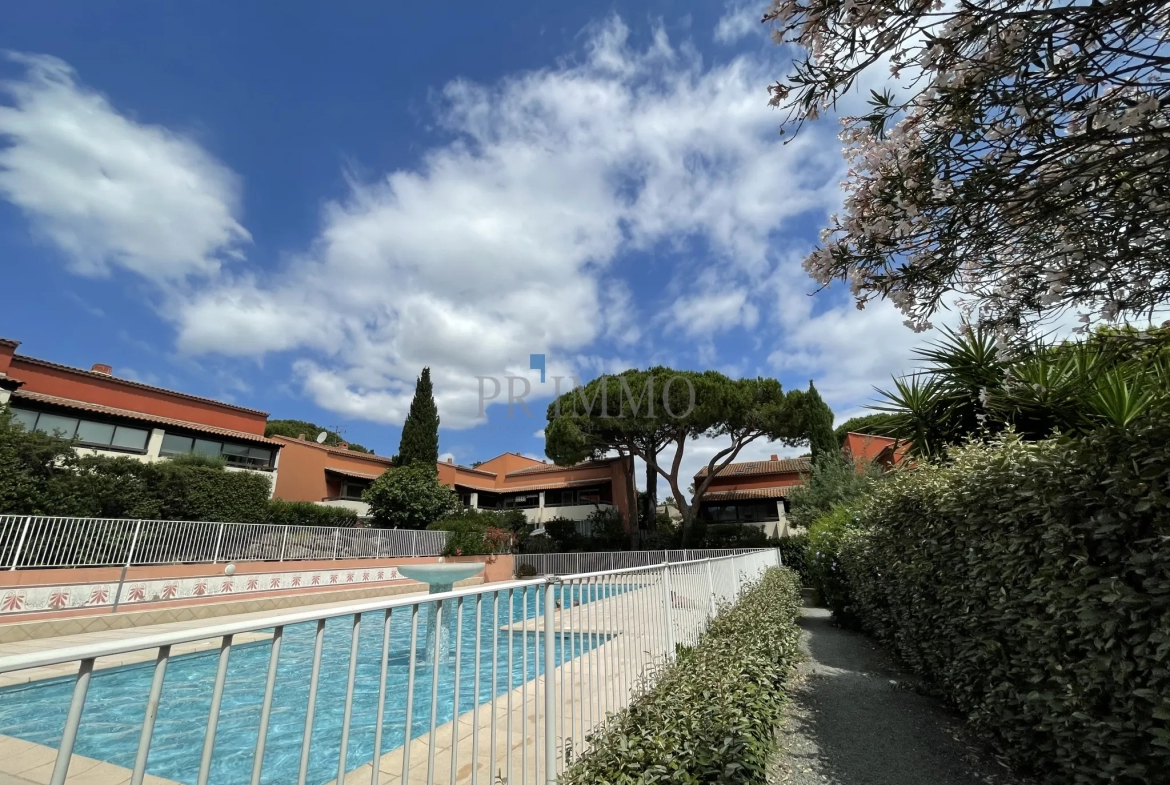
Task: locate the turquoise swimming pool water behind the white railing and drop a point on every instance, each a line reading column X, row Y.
column 114, row 711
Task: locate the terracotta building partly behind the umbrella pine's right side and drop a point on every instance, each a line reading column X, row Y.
column 754, row 493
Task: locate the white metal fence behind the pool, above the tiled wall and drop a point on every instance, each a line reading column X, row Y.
column 30, row 542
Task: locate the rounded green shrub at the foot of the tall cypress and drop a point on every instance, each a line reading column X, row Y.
column 411, row 498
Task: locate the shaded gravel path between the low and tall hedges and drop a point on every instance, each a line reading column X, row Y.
column 857, row 720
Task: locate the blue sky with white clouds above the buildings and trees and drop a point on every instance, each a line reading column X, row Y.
column 298, row 211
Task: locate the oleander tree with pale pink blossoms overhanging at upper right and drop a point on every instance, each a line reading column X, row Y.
column 1020, row 167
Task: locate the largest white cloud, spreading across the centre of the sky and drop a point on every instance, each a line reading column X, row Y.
column 505, row 240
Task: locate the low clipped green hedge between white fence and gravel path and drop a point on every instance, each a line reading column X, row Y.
column 713, row 713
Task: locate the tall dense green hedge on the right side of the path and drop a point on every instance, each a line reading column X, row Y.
column 1030, row 586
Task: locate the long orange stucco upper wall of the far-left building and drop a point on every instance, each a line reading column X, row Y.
column 87, row 388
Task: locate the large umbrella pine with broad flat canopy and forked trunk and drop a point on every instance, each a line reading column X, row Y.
column 642, row 414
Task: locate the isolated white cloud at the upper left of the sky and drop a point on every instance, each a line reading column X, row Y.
column 107, row 190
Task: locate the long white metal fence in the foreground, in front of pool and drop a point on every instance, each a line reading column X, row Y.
column 498, row 685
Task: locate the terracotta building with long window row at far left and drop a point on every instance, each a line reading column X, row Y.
column 109, row 416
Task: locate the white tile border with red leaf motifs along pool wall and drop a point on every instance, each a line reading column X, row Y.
column 39, row 600
